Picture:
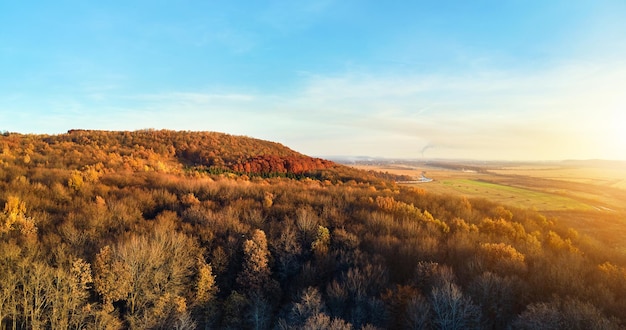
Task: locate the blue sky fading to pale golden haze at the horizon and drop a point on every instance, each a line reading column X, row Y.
column 485, row 80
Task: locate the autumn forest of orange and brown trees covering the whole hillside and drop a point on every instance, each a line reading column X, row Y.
column 158, row 229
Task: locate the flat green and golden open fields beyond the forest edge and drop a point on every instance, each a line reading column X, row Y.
column 589, row 196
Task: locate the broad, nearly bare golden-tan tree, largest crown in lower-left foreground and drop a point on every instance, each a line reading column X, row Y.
column 144, row 270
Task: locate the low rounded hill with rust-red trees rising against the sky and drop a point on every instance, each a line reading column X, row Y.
column 154, row 149
